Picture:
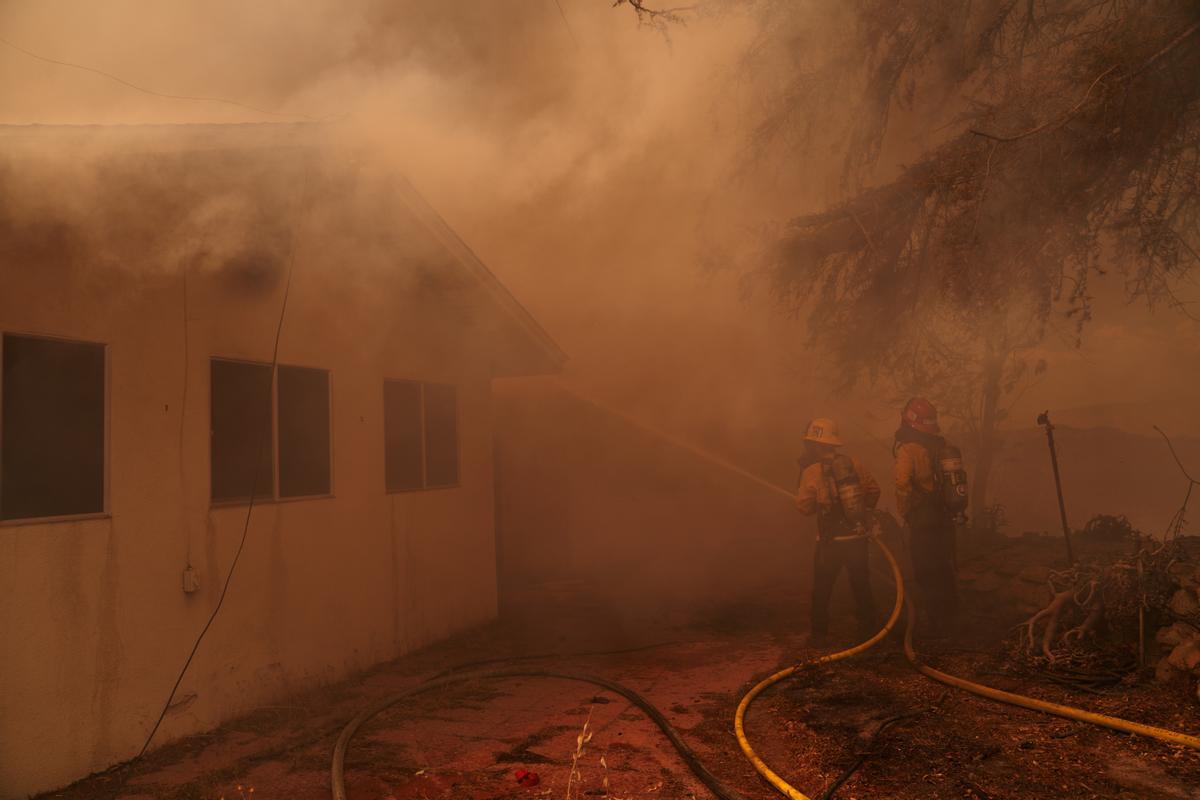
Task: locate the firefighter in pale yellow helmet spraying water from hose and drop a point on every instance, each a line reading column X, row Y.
column 842, row 494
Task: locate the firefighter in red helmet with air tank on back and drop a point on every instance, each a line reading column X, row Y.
column 931, row 497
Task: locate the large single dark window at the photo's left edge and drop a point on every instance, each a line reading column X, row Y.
column 52, row 441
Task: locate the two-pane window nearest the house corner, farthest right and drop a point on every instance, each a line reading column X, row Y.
column 421, row 435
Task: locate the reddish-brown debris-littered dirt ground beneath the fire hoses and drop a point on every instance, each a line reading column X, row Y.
column 469, row 741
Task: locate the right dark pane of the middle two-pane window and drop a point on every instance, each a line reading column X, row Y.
column 304, row 432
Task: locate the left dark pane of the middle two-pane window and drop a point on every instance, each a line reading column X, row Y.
column 242, row 431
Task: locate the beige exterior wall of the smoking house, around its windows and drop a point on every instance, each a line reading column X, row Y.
column 94, row 623
